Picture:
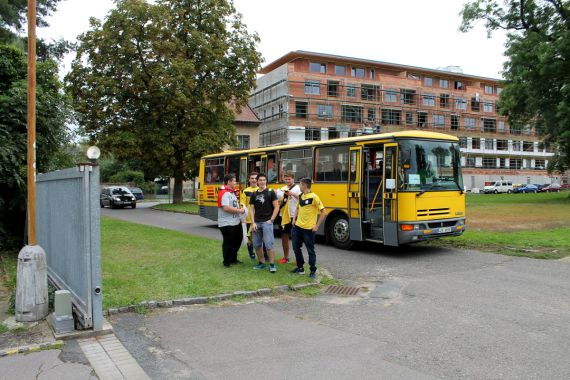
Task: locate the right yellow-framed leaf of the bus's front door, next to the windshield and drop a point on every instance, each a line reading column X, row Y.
column 390, row 196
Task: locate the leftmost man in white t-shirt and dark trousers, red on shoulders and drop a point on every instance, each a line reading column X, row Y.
column 229, row 221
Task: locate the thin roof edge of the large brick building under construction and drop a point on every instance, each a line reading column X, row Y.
column 339, row 58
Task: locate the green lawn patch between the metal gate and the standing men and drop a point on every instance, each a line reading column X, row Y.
column 143, row 263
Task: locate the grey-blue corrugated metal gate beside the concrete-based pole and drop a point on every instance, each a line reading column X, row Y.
column 68, row 229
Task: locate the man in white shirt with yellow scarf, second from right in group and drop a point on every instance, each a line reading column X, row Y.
column 288, row 206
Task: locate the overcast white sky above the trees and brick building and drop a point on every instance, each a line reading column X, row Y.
column 411, row 32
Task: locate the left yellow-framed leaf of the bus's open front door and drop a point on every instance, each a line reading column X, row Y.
column 355, row 193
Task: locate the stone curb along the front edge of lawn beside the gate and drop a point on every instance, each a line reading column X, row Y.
column 205, row 300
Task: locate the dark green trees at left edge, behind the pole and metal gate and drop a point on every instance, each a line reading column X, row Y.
column 53, row 136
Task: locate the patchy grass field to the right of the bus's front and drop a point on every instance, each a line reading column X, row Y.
column 530, row 225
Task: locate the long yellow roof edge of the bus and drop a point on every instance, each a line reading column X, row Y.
column 372, row 137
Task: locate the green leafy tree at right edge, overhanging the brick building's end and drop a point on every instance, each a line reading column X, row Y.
column 537, row 70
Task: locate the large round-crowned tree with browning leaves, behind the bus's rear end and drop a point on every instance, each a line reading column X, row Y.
column 154, row 81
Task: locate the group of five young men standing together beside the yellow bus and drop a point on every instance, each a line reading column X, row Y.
column 302, row 212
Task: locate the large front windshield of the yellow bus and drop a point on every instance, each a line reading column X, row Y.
column 430, row 166
